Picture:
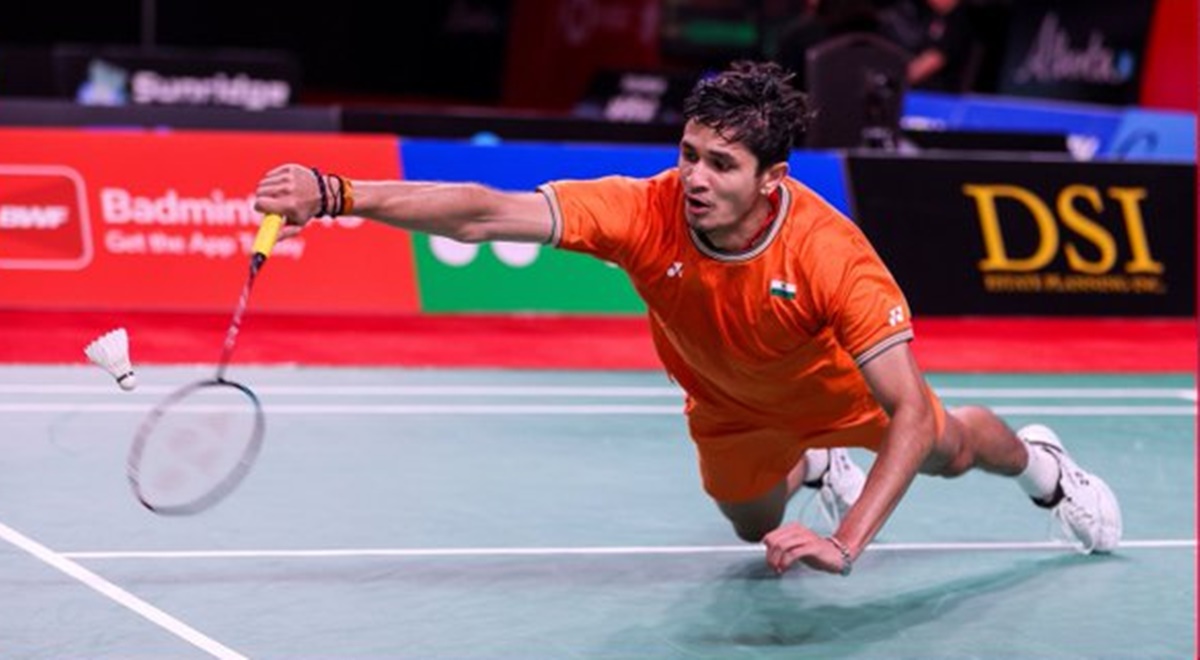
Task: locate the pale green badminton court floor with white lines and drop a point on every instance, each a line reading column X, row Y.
column 440, row 514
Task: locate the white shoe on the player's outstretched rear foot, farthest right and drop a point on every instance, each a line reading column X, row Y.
column 1088, row 512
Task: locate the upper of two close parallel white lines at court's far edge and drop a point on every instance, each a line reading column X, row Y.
column 596, row 392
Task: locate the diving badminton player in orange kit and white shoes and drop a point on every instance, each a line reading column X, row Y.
column 771, row 310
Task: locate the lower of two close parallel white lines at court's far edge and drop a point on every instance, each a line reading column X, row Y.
column 549, row 410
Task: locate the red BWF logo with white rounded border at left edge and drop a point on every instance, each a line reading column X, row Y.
column 44, row 219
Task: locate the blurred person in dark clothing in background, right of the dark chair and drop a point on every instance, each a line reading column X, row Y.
column 940, row 38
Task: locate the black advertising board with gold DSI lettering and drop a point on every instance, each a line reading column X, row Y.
column 989, row 237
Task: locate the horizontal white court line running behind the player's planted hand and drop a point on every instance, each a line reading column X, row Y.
column 589, row 551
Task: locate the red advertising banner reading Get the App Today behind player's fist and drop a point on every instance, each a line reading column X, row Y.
column 164, row 221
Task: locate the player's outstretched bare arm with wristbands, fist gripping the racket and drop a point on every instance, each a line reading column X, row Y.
column 470, row 213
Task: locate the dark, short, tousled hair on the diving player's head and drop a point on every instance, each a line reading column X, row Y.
column 754, row 104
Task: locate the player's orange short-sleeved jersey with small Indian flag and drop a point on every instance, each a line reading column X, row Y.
column 769, row 339
